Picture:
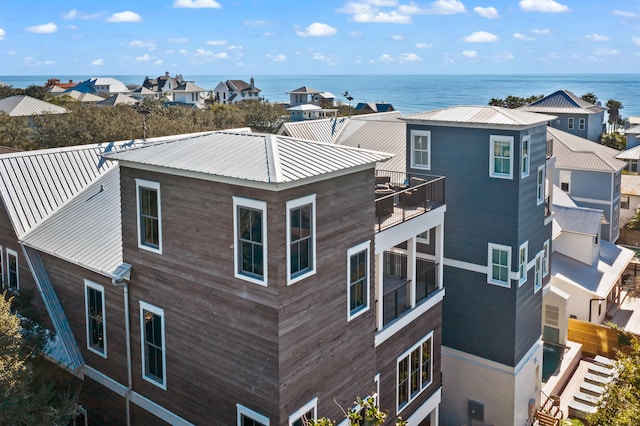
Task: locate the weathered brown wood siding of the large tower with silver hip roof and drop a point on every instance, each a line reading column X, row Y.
column 229, row 341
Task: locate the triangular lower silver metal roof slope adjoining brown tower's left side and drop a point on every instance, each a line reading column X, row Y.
column 86, row 230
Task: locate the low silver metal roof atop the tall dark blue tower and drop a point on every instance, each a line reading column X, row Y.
column 480, row 115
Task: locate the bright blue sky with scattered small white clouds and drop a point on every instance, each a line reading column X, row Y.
column 197, row 37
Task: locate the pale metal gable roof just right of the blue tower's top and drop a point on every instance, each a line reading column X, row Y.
column 574, row 152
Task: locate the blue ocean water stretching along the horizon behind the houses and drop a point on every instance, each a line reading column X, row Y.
column 413, row 93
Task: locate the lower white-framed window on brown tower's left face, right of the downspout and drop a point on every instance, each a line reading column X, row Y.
column 154, row 368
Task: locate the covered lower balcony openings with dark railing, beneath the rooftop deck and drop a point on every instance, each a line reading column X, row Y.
column 398, row 290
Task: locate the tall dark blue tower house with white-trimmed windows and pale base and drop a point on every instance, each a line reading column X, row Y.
column 496, row 254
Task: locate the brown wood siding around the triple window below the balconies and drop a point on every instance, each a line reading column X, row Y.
column 388, row 352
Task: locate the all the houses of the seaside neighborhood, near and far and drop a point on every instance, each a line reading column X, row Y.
column 452, row 264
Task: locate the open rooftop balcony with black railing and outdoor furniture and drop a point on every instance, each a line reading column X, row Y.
column 402, row 196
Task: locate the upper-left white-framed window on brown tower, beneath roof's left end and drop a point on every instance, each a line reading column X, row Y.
column 149, row 215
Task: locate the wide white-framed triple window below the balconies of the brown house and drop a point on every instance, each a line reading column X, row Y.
column 415, row 371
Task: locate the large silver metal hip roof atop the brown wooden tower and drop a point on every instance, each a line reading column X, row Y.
column 262, row 158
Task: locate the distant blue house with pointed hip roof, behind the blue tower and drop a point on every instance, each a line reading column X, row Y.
column 574, row 114
